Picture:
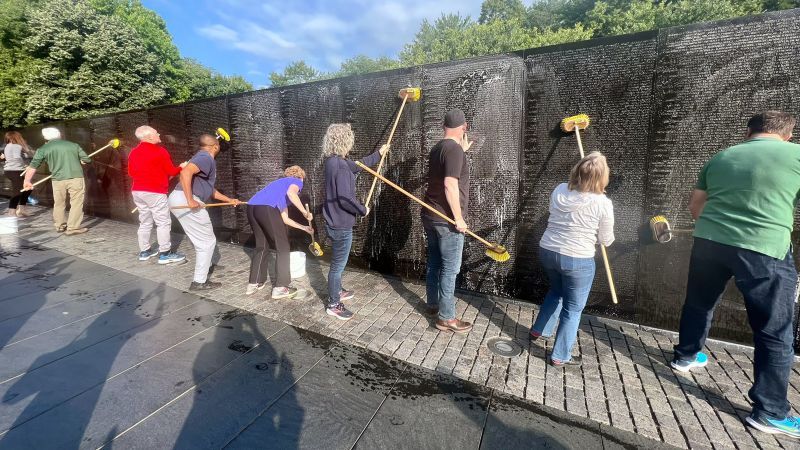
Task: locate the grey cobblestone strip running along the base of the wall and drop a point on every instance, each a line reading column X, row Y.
column 625, row 381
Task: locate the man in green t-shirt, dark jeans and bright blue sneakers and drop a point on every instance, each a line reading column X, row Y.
column 744, row 205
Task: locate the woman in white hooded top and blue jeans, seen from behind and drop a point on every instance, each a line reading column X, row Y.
column 580, row 216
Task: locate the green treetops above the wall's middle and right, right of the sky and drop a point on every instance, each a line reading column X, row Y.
column 510, row 25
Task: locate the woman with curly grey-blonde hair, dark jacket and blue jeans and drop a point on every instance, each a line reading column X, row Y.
column 341, row 208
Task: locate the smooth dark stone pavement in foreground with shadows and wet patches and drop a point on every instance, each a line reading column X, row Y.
column 92, row 357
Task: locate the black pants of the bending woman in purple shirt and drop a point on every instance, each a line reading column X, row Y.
column 271, row 234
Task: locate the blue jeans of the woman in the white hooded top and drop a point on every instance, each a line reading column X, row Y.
column 570, row 283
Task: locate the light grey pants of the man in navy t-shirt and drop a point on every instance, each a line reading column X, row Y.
column 197, row 225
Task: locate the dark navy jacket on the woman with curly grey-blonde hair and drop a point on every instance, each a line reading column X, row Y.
column 341, row 206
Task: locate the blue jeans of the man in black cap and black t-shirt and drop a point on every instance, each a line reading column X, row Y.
column 445, row 245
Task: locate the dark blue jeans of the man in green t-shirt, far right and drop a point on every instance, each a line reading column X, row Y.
column 768, row 286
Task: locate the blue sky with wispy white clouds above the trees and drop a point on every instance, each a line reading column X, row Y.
column 323, row 33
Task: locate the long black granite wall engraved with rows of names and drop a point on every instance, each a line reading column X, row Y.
column 661, row 103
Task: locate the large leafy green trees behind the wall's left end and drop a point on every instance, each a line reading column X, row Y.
column 66, row 59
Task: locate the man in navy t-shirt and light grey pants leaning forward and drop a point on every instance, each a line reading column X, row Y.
column 196, row 187
